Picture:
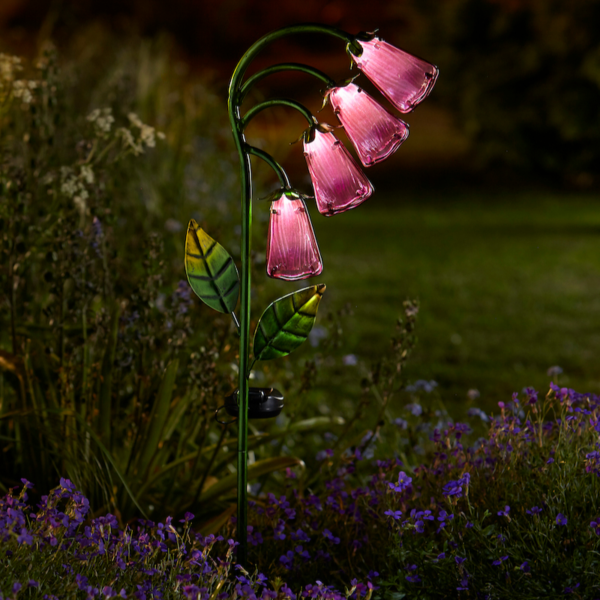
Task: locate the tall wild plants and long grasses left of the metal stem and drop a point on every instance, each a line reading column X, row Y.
column 109, row 372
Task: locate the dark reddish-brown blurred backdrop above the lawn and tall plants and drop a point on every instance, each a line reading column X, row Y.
column 520, row 79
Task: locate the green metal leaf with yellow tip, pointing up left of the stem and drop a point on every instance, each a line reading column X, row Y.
column 211, row 272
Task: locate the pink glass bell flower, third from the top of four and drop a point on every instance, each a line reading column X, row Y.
column 338, row 182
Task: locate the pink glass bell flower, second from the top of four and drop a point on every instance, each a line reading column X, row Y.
column 373, row 131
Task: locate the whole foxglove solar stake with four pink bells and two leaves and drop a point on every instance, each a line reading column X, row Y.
column 292, row 250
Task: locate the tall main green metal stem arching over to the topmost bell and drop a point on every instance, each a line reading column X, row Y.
column 237, row 128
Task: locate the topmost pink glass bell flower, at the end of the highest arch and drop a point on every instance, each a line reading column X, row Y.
column 402, row 78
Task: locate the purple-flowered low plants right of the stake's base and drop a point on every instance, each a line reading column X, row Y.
column 513, row 514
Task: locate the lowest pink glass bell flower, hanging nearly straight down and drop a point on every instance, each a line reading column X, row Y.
column 292, row 250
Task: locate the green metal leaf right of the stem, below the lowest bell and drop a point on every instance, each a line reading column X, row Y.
column 286, row 323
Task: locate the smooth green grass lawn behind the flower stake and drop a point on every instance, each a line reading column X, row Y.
column 509, row 285
